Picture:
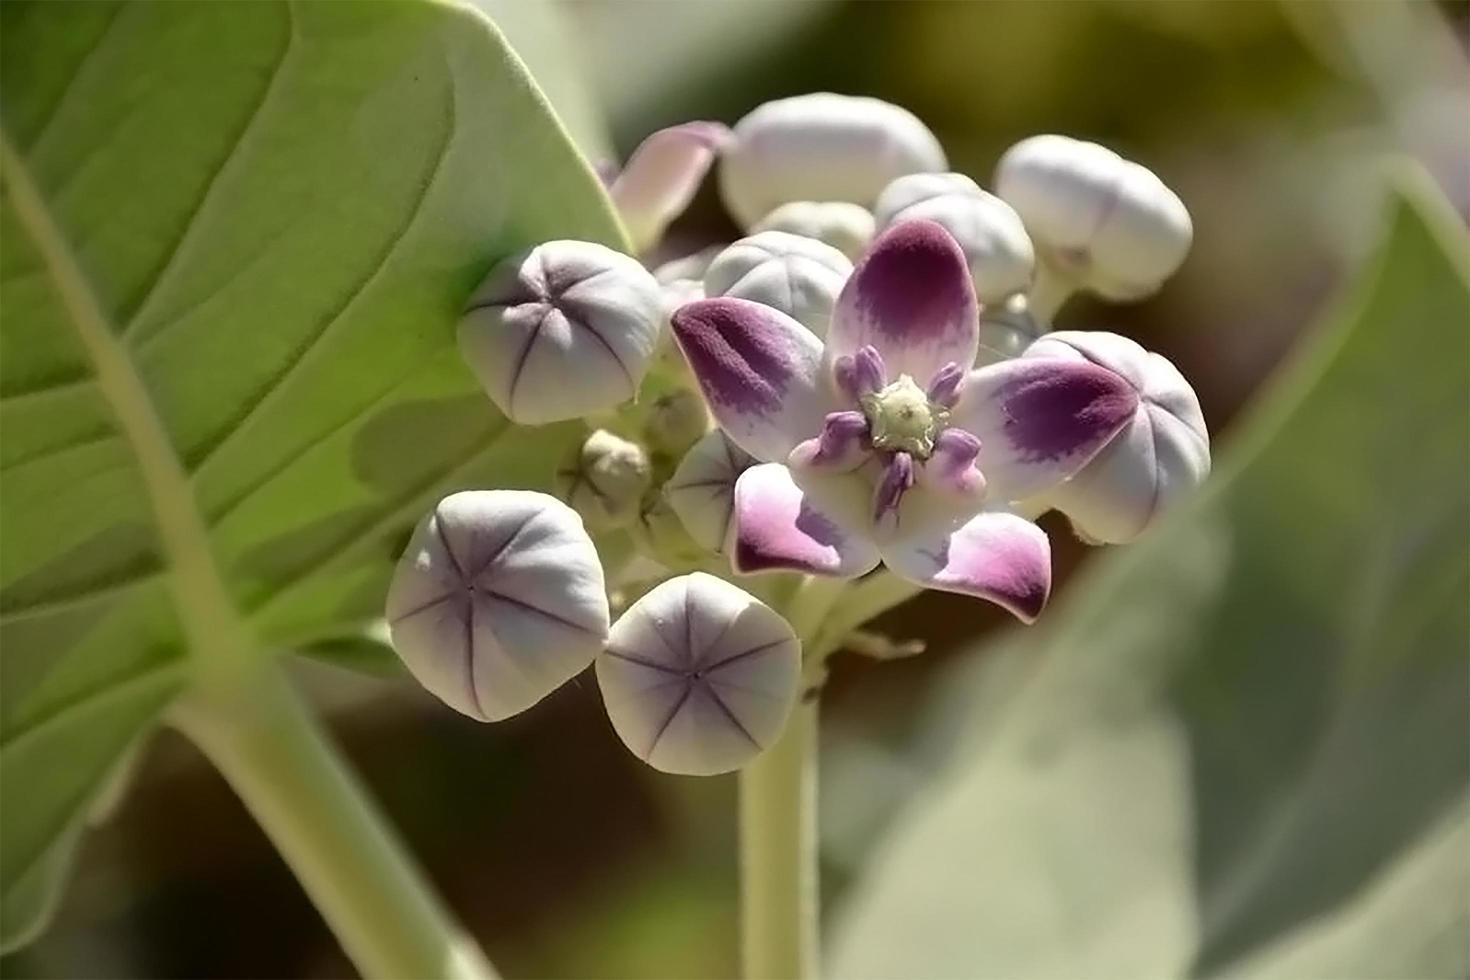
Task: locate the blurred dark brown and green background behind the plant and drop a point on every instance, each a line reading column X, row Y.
column 565, row 856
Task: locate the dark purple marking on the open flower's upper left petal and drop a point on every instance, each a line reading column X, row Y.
column 739, row 358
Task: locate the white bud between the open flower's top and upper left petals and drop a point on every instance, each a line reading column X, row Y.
column 800, row 277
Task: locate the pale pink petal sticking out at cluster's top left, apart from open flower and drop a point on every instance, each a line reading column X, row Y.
column 662, row 177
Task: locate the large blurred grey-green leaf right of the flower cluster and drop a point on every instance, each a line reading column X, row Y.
column 1240, row 746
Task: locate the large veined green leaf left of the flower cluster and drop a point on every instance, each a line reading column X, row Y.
column 237, row 237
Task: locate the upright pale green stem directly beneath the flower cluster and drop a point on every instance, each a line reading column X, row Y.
column 778, row 821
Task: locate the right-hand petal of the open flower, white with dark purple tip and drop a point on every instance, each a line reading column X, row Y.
column 1041, row 419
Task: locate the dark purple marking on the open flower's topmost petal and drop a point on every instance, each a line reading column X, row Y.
column 915, row 283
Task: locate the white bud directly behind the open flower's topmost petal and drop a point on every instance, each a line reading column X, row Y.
column 992, row 234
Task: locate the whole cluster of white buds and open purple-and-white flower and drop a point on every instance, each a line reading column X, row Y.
column 868, row 378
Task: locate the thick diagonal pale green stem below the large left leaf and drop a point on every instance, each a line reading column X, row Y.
column 273, row 750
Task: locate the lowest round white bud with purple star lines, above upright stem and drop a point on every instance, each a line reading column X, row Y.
column 699, row 677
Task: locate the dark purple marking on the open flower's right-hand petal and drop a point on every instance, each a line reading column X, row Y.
column 1065, row 408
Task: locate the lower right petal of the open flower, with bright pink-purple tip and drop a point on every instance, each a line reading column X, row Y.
column 993, row 556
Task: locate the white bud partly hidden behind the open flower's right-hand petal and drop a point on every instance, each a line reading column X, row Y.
column 1158, row 459
